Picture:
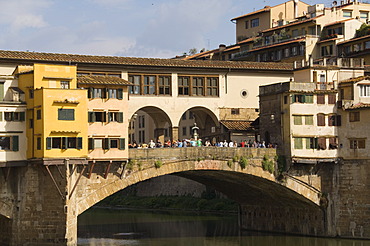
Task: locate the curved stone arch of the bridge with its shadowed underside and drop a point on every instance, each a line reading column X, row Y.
column 249, row 186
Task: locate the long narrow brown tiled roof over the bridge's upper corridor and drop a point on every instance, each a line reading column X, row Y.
column 134, row 61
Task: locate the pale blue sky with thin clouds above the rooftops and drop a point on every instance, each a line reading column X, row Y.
column 131, row 28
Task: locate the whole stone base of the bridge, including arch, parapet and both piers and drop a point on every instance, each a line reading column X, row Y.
column 40, row 201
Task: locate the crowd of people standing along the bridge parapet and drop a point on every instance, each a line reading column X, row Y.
column 199, row 143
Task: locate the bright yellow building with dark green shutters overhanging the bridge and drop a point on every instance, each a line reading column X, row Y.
column 56, row 111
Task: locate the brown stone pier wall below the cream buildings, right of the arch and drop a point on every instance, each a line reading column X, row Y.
column 348, row 194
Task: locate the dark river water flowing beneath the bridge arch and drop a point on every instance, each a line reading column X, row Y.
column 113, row 227
